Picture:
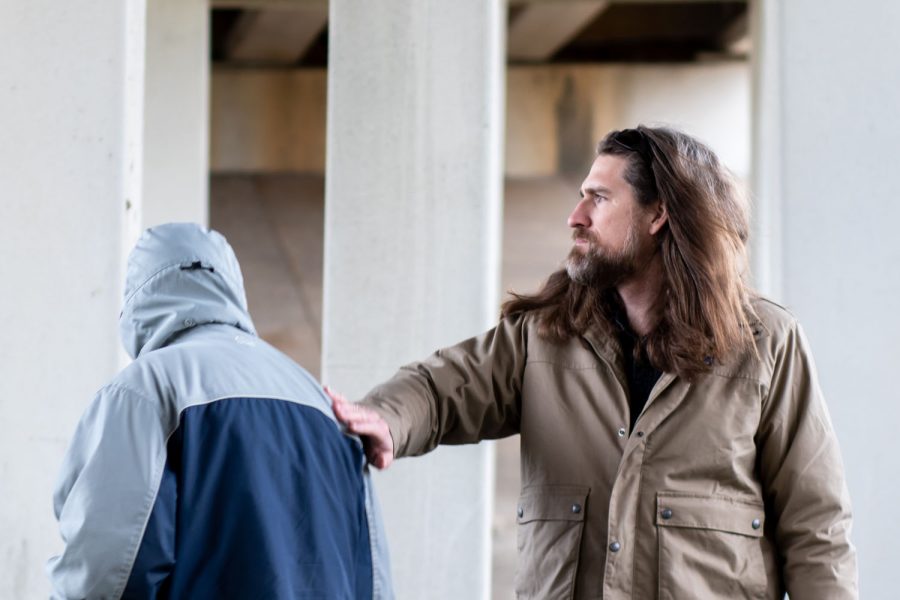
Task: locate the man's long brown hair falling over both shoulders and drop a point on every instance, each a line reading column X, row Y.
column 704, row 310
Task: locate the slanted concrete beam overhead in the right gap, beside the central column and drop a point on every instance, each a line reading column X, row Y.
column 543, row 28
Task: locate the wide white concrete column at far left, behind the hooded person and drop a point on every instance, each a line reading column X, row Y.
column 70, row 163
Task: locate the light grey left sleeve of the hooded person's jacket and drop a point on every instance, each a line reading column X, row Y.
column 105, row 493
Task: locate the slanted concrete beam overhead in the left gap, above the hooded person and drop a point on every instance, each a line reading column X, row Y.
column 278, row 36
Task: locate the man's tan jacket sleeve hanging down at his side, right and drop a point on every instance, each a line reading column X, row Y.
column 803, row 480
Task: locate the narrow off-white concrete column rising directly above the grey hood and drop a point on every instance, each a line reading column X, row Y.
column 176, row 137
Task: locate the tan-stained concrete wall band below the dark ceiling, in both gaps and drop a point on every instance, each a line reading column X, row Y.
column 273, row 121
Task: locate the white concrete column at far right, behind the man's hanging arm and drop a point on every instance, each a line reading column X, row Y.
column 828, row 129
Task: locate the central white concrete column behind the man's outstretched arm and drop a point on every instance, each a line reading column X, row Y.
column 412, row 238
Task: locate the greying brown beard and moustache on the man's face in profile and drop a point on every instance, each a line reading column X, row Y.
column 600, row 268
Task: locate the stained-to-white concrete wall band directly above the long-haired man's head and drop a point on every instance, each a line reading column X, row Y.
column 556, row 114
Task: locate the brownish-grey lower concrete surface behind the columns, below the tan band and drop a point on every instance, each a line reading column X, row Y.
column 275, row 224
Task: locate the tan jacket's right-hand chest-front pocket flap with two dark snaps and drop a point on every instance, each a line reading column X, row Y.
column 720, row 513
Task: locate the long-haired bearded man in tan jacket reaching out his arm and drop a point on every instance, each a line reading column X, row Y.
column 675, row 443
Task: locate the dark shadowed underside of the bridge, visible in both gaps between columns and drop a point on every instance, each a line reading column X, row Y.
column 293, row 33
